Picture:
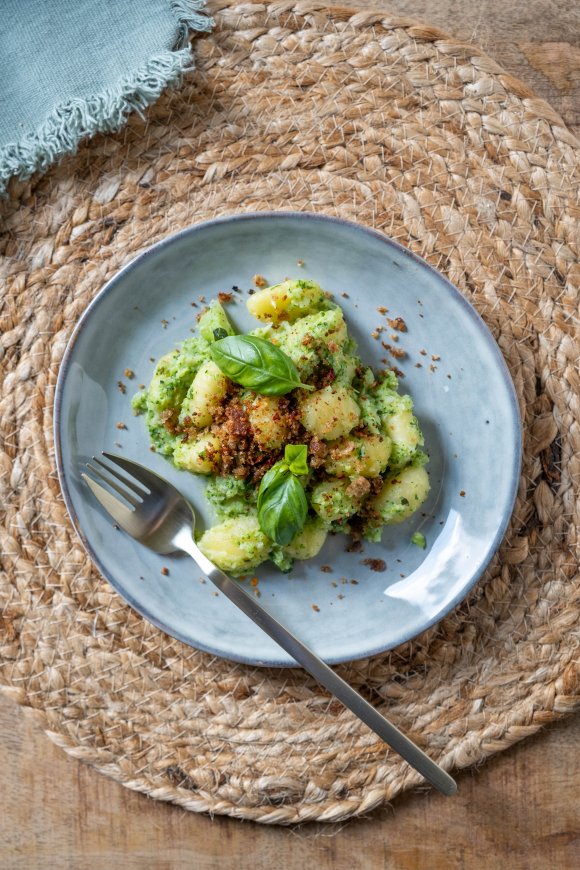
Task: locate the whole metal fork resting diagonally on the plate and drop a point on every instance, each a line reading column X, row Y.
column 155, row 513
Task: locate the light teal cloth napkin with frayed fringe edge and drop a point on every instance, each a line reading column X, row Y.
column 71, row 68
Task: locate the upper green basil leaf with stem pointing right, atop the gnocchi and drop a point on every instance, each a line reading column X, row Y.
column 256, row 364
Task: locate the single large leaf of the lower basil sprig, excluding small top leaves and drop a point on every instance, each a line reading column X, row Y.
column 284, row 510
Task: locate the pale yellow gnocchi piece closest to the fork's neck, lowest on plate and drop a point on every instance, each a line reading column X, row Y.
column 236, row 545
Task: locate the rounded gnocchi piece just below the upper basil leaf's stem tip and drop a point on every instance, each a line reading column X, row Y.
column 329, row 413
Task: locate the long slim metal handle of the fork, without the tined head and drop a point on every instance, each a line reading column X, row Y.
column 324, row 674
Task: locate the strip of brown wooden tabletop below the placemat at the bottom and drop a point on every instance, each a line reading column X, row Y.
column 519, row 810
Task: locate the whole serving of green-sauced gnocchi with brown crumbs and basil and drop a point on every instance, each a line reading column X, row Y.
column 297, row 437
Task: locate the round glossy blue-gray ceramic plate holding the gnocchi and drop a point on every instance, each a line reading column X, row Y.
column 463, row 397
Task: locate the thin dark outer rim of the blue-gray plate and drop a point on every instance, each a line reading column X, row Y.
column 193, row 229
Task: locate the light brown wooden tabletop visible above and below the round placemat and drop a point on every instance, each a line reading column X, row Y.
column 520, row 810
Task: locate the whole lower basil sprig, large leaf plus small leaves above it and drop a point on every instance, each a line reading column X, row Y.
column 282, row 504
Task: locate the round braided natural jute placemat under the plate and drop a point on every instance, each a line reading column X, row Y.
column 395, row 125
